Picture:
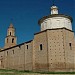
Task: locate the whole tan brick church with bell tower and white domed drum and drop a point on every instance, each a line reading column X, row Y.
column 52, row 49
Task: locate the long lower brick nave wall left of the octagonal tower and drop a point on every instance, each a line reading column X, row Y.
column 17, row 57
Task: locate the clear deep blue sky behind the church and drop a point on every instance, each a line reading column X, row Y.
column 26, row 13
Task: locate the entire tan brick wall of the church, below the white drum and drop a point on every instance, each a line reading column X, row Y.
column 50, row 50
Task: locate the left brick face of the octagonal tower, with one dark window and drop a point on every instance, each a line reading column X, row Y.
column 41, row 51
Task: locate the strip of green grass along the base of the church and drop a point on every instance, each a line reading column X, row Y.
column 15, row 72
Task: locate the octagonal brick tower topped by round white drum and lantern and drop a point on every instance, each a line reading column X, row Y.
column 54, row 45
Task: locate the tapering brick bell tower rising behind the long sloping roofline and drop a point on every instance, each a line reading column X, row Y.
column 11, row 39
